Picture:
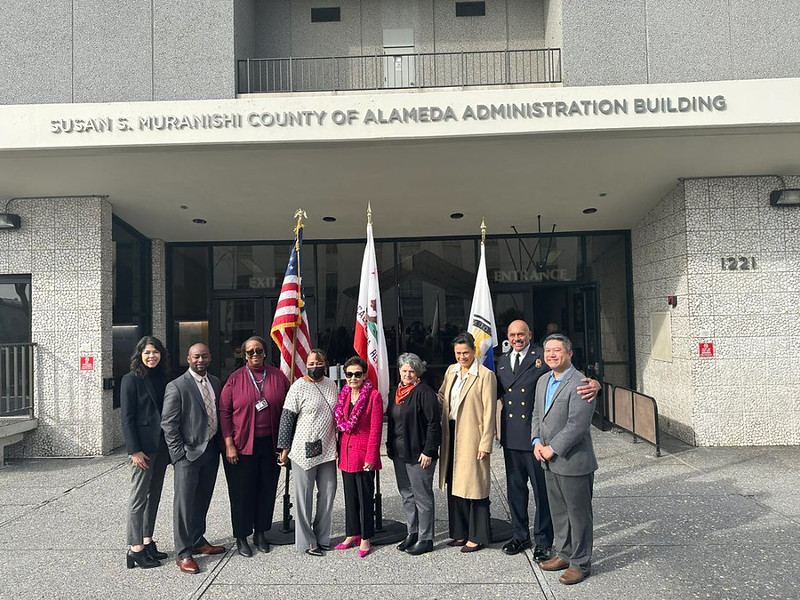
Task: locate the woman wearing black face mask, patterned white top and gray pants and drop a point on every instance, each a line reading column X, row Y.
column 307, row 437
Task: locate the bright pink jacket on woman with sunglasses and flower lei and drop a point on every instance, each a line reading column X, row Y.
column 364, row 442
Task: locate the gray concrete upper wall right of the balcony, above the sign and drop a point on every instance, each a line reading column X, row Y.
column 647, row 41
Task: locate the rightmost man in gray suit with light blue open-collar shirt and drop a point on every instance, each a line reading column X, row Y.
column 563, row 445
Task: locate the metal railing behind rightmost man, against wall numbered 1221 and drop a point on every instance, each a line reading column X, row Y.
column 634, row 412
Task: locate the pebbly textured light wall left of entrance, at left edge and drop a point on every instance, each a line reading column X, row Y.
column 65, row 245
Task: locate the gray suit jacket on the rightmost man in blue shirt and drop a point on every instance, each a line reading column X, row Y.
column 565, row 426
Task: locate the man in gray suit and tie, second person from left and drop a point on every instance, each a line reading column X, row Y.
column 191, row 424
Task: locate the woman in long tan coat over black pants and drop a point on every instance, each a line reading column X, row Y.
column 468, row 397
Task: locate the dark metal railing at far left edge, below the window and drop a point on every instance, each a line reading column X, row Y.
column 16, row 380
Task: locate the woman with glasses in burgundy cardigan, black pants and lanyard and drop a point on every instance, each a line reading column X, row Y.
column 250, row 409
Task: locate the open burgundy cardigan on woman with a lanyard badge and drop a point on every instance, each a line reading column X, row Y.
column 237, row 406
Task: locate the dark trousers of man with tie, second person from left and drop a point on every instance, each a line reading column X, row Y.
column 194, row 485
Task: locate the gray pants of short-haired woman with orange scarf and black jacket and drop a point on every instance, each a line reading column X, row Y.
column 415, row 485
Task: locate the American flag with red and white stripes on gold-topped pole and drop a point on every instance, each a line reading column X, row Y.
column 290, row 324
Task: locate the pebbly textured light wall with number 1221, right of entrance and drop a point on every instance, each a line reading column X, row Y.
column 750, row 316
